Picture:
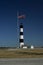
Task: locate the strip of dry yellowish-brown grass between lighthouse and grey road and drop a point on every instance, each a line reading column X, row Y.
column 21, row 53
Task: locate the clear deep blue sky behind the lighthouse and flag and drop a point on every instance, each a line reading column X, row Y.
column 33, row 23
